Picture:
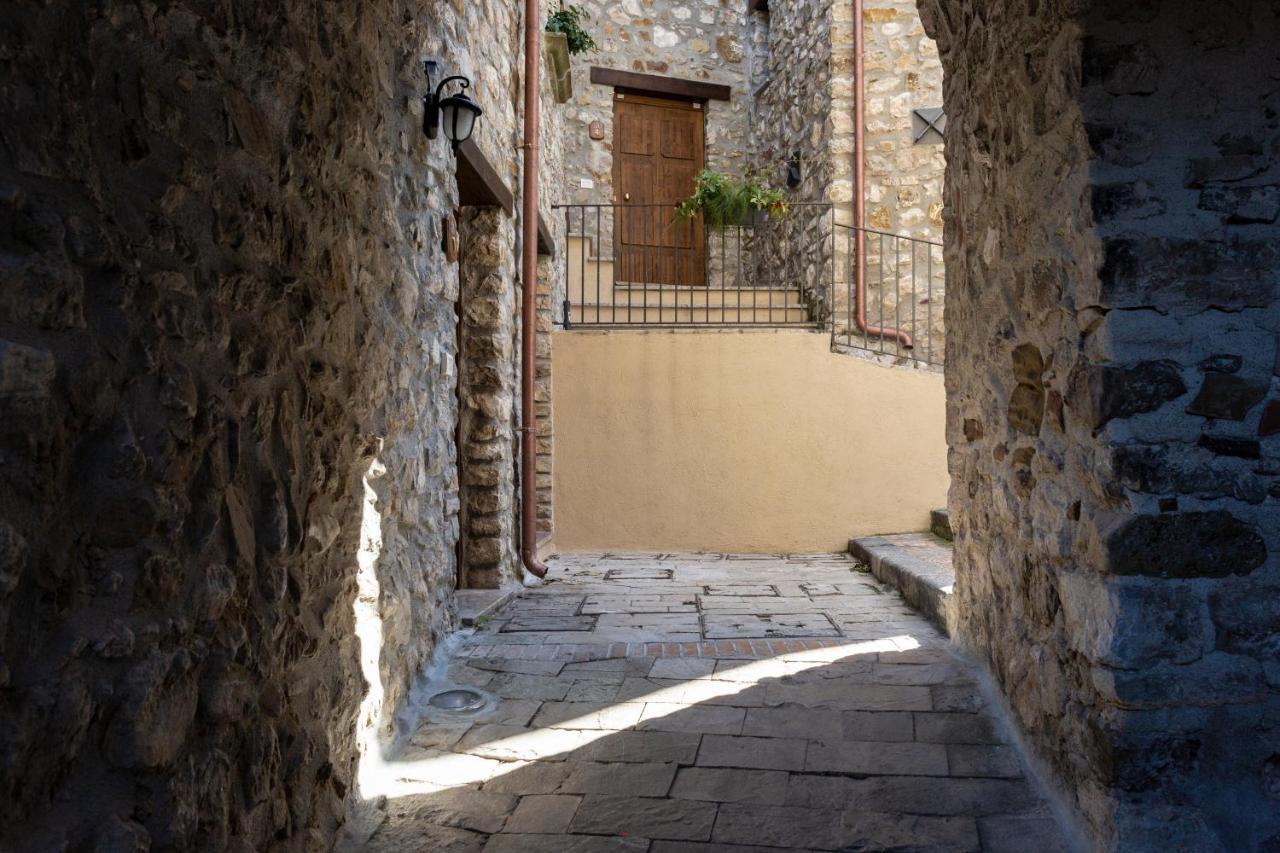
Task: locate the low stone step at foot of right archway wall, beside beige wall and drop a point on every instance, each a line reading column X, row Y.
column 918, row 565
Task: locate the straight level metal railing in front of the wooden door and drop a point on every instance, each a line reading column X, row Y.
column 642, row 266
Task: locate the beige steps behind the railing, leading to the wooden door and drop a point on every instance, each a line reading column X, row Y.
column 597, row 299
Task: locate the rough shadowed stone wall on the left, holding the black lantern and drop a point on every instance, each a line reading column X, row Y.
column 228, row 391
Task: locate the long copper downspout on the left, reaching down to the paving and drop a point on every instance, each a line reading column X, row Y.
column 529, row 297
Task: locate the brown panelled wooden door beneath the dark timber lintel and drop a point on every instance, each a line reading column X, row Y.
column 659, row 150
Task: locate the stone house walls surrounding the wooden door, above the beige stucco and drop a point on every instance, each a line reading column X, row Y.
column 792, row 71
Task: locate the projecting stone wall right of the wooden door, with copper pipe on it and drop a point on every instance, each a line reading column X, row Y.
column 807, row 108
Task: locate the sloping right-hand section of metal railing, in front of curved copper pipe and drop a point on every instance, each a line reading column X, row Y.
column 898, row 312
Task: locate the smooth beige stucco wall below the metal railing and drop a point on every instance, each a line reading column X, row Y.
column 739, row 441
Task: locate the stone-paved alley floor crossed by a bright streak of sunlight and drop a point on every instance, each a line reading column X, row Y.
column 682, row 704
